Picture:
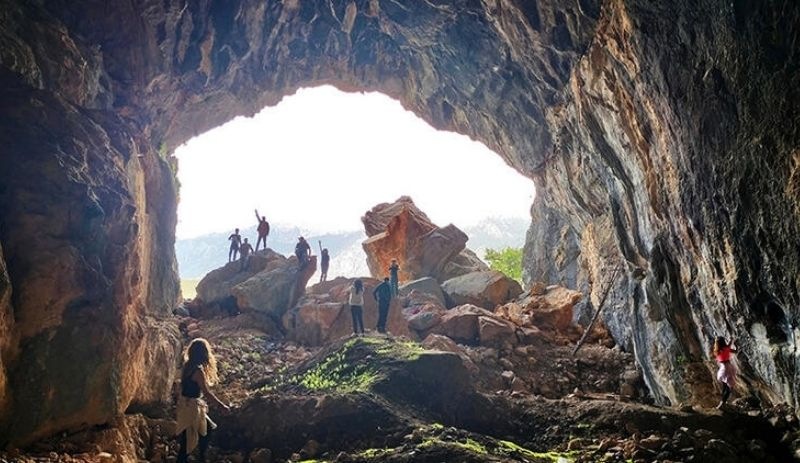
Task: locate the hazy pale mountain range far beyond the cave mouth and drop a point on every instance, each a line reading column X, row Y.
column 197, row 256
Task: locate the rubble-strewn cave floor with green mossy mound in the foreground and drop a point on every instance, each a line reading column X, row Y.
column 376, row 398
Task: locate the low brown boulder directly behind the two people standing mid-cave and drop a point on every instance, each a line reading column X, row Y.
column 323, row 314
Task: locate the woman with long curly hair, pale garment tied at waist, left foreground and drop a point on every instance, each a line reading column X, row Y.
column 198, row 373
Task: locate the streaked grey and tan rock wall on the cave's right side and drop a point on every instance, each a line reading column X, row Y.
column 674, row 154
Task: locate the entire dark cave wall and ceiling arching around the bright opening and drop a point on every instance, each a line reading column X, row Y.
column 662, row 137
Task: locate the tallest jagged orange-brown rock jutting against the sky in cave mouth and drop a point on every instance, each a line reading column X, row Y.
column 401, row 231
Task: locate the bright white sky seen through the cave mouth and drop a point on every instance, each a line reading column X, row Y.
column 321, row 158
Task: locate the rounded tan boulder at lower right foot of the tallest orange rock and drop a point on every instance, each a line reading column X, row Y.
column 486, row 289
